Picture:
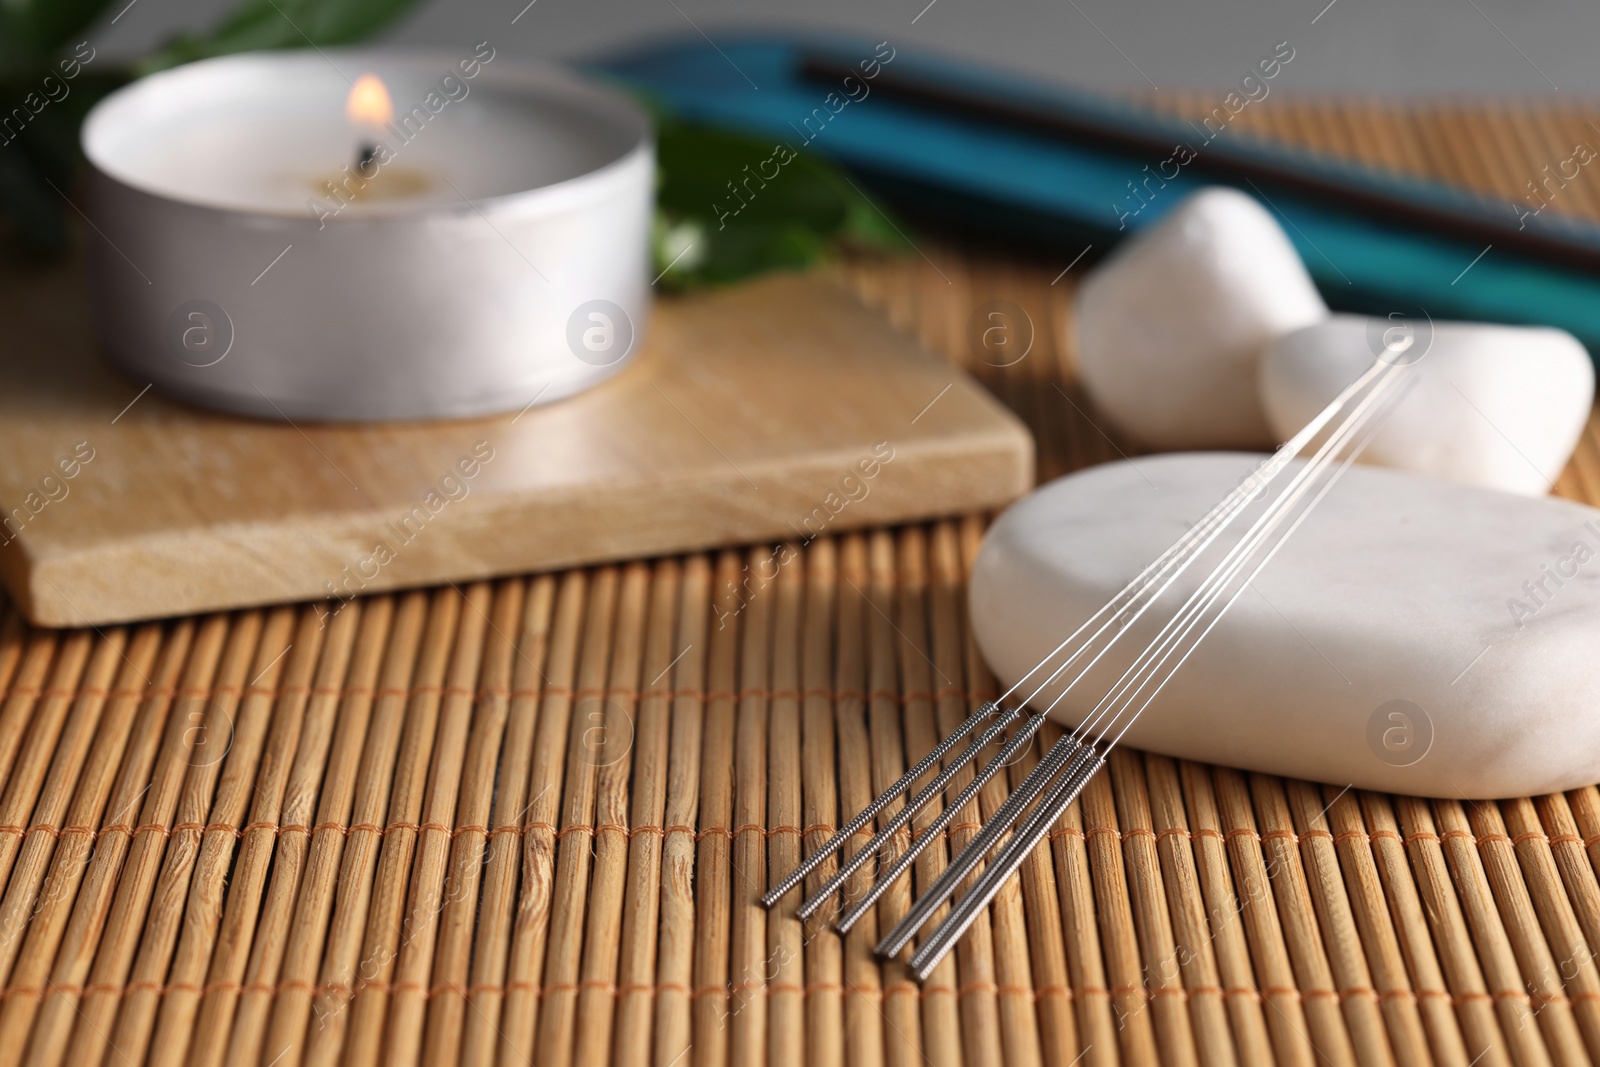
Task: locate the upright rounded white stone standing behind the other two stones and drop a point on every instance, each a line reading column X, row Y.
column 1172, row 327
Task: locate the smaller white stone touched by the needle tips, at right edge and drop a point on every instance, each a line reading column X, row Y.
column 1494, row 406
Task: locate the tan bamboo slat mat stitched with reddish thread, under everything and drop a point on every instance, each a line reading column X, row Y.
column 527, row 821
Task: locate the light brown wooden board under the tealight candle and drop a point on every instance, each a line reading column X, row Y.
column 751, row 415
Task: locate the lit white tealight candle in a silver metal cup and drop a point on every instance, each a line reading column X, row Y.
column 358, row 236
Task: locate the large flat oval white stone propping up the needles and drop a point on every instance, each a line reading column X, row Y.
column 1414, row 636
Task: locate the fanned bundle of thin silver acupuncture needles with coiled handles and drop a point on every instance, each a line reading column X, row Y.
column 1281, row 494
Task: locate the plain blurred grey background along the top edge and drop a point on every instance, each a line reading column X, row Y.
column 1412, row 47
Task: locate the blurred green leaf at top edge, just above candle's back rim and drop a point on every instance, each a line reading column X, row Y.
column 260, row 25
